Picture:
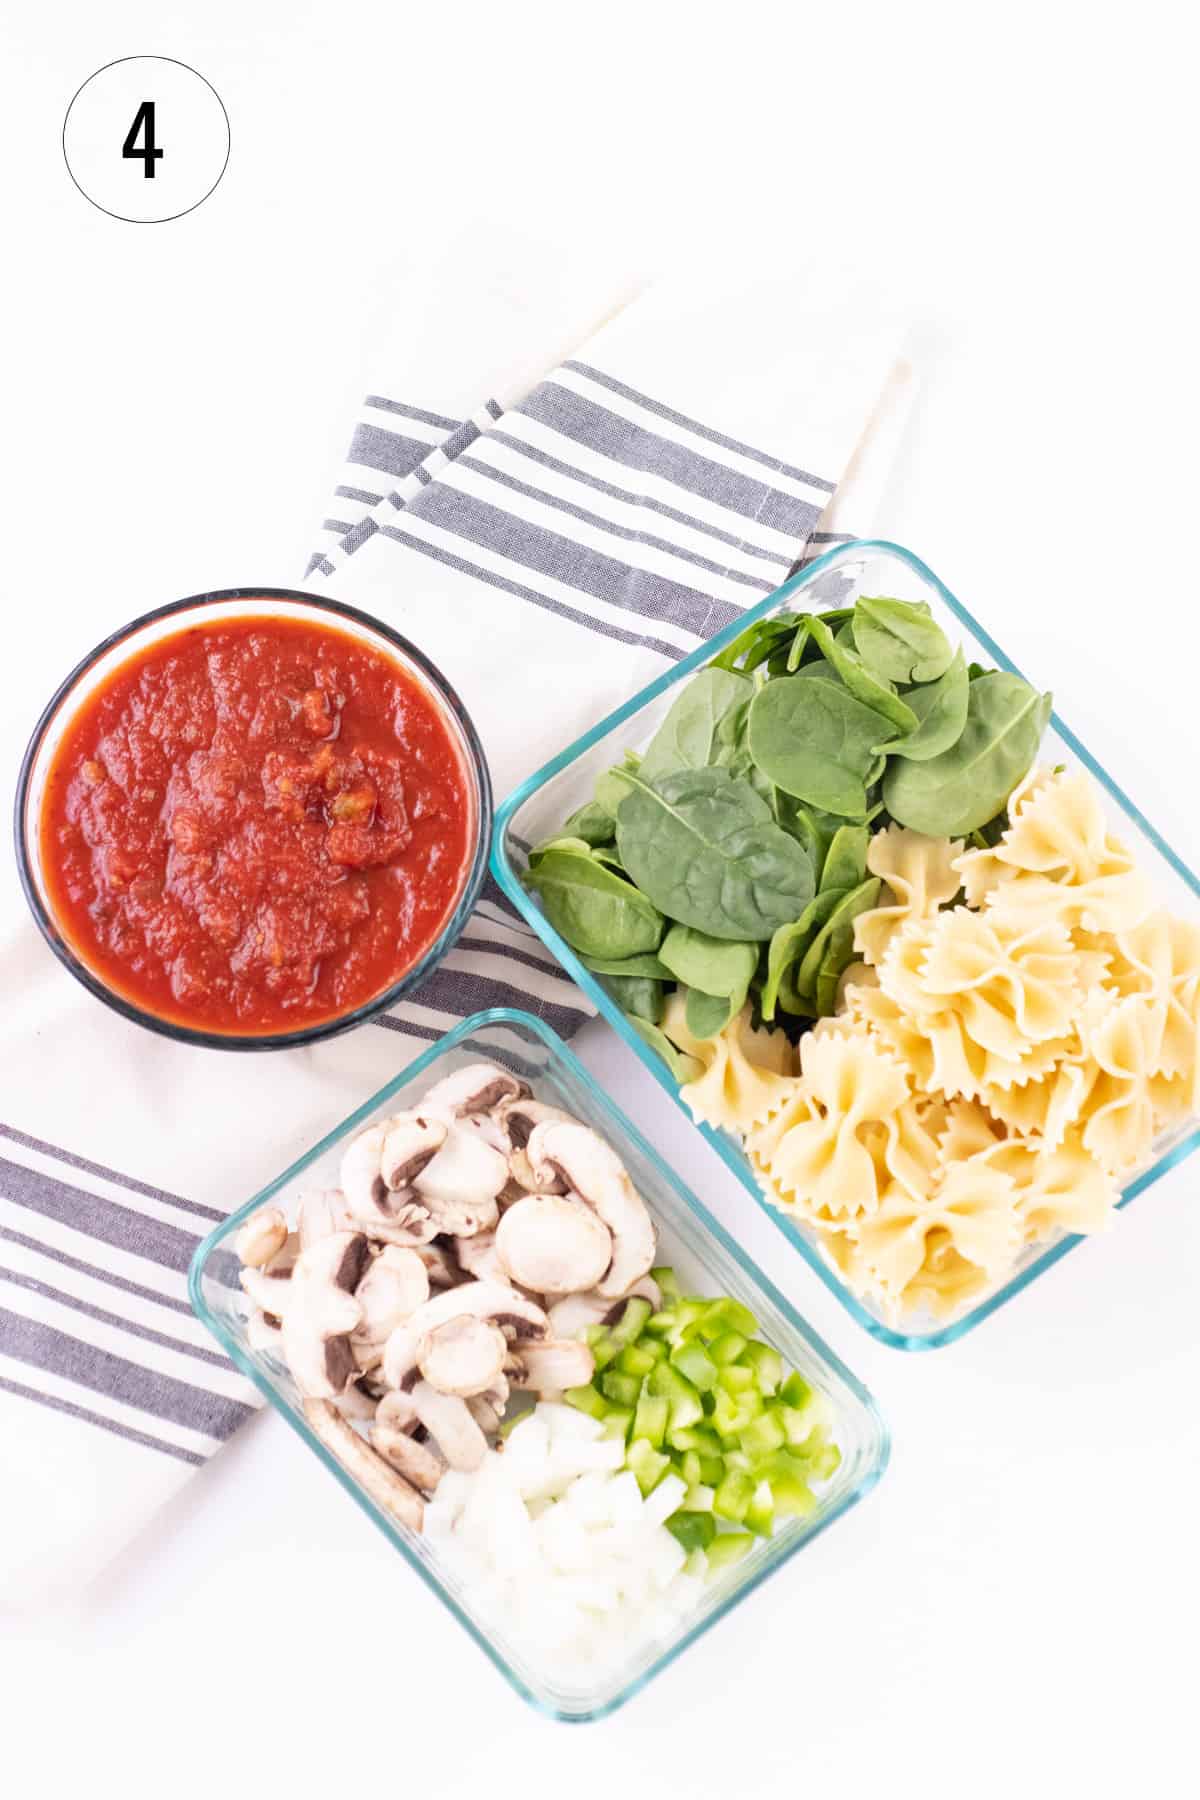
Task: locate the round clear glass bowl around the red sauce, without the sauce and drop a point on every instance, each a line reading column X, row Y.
column 211, row 609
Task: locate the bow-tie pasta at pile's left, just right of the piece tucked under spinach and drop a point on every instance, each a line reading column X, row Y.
column 832, row 1153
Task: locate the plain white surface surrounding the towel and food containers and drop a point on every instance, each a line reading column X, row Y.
column 1016, row 1605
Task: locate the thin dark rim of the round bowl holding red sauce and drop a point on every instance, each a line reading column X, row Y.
column 314, row 1034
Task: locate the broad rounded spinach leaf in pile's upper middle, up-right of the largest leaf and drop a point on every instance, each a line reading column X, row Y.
column 818, row 742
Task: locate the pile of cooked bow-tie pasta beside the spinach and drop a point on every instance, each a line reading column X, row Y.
column 1019, row 1030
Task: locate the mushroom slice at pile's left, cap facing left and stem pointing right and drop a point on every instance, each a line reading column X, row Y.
column 321, row 1315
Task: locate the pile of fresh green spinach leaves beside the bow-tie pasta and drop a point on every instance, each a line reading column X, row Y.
column 730, row 859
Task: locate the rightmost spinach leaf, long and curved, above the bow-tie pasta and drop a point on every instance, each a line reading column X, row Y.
column 967, row 786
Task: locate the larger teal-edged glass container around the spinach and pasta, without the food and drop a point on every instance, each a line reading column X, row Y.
column 537, row 811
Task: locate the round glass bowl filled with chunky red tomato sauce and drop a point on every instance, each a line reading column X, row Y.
column 253, row 820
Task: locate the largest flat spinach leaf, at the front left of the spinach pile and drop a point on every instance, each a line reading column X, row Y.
column 706, row 850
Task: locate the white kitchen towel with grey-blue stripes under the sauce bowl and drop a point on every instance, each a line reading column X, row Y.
column 559, row 492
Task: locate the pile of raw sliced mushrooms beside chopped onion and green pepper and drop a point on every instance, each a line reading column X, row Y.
column 472, row 1239
